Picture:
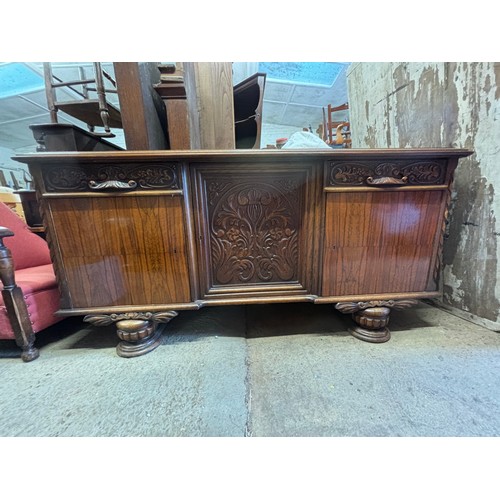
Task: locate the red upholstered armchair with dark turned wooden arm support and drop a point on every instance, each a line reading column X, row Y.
column 29, row 294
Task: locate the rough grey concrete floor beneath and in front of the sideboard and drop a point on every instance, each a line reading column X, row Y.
column 285, row 370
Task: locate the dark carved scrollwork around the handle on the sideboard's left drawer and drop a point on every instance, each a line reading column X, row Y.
column 77, row 178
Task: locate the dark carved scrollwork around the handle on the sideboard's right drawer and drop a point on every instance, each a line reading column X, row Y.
column 356, row 173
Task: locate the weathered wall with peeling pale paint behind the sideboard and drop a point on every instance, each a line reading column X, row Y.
column 449, row 105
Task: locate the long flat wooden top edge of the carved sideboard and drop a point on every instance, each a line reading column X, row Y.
column 246, row 154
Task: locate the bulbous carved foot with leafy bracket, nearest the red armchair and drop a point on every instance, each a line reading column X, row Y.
column 138, row 332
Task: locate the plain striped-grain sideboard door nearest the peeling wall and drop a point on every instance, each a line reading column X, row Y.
column 381, row 242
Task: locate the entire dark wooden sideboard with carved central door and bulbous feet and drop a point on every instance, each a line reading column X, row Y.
column 136, row 237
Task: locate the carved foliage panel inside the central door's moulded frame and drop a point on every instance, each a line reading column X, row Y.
column 253, row 228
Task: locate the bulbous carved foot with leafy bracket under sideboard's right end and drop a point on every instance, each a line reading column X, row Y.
column 372, row 317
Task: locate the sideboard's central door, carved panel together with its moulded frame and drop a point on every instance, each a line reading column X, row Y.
column 255, row 228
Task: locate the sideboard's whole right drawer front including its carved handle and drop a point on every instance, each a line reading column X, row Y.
column 380, row 173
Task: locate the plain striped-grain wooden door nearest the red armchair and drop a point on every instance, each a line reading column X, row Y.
column 122, row 250
